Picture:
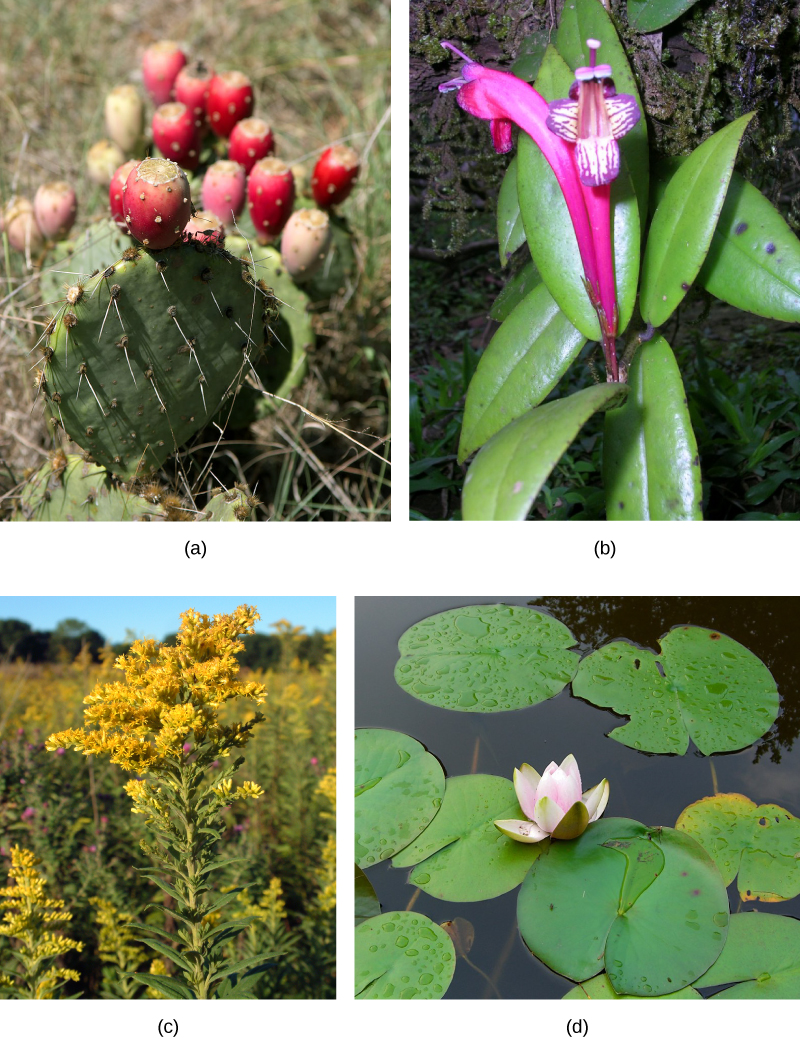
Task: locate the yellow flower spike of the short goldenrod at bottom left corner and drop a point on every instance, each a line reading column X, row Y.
column 29, row 917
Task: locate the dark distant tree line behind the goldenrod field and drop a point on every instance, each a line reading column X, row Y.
column 18, row 640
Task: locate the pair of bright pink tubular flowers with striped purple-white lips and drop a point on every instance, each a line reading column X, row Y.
column 579, row 140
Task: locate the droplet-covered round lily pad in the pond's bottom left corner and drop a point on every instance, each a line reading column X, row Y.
column 403, row 956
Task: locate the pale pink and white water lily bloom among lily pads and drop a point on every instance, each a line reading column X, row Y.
column 554, row 804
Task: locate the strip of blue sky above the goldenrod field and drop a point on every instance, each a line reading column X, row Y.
column 156, row 617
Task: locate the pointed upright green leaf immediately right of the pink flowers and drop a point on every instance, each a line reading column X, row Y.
column 685, row 221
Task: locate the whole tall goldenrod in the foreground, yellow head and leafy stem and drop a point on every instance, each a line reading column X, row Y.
column 163, row 725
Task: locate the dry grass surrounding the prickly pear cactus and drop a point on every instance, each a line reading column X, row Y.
column 322, row 74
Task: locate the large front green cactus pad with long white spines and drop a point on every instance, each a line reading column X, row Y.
column 145, row 354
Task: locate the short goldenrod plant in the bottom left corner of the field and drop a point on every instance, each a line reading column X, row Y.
column 29, row 920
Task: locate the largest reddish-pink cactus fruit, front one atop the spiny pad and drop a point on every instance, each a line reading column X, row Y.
column 157, row 203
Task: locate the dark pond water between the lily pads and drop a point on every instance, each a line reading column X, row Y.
column 652, row 789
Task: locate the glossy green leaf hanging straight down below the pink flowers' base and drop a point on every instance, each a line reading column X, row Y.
column 652, row 469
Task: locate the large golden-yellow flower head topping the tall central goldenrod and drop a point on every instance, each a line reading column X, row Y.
column 171, row 696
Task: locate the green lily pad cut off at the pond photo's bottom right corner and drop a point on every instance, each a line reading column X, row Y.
column 762, row 955
